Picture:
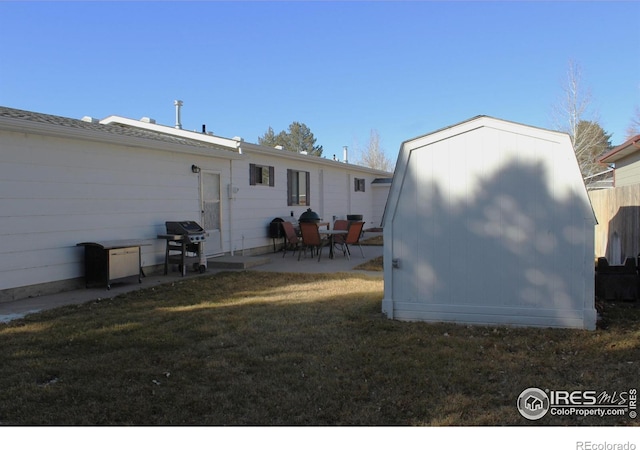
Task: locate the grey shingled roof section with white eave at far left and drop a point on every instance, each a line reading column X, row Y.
column 19, row 120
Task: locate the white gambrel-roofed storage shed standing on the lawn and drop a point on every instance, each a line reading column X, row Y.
column 489, row 222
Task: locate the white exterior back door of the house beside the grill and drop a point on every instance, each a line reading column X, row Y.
column 210, row 201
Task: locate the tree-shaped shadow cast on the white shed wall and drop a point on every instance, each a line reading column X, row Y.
column 508, row 247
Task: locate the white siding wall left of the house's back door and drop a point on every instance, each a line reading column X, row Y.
column 57, row 192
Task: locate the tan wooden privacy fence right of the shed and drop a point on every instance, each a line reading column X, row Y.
column 617, row 235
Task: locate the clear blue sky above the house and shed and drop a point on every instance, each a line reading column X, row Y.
column 342, row 68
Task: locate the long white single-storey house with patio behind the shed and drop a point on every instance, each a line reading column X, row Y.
column 65, row 181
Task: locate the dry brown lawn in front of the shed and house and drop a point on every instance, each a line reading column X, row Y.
column 292, row 349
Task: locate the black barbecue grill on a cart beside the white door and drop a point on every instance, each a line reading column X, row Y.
column 185, row 245
